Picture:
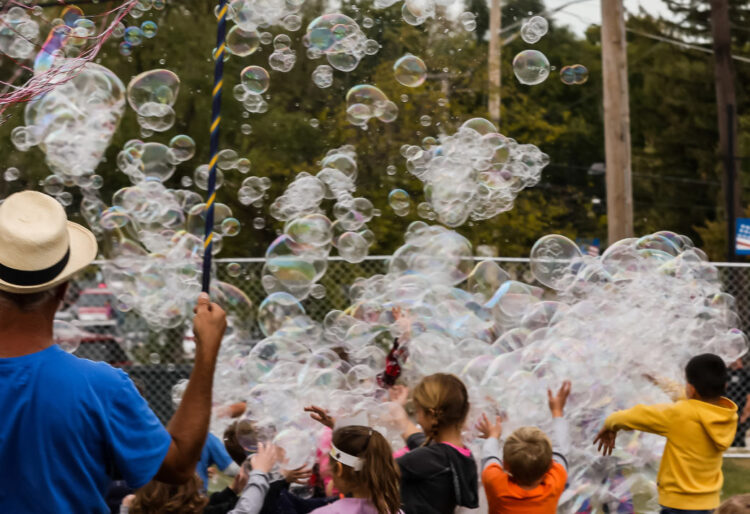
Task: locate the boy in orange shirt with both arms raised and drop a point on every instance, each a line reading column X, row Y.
column 531, row 476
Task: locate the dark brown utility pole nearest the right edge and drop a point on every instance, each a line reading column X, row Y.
column 726, row 103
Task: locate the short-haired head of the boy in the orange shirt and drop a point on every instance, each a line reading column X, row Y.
column 527, row 455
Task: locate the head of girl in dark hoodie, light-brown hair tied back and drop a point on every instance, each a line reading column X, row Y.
column 442, row 401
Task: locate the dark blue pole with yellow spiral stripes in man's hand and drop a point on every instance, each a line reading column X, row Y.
column 215, row 123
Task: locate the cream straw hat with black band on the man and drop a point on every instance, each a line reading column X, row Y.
column 39, row 247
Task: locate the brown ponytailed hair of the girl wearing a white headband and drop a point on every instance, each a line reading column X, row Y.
column 379, row 474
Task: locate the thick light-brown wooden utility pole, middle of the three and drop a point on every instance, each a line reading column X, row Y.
column 616, row 121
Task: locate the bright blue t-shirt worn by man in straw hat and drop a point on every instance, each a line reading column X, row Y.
column 65, row 425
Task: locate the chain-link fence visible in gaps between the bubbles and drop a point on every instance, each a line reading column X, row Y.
column 157, row 360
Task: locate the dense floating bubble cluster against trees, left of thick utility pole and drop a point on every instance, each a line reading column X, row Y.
column 474, row 174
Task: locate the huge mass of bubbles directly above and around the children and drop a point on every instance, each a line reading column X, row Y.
column 620, row 326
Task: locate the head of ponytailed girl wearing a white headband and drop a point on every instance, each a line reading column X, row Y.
column 362, row 462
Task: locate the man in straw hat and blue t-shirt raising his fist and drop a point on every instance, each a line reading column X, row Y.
column 68, row 424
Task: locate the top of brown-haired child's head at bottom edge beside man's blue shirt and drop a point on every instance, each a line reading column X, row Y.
column 169, row 498
